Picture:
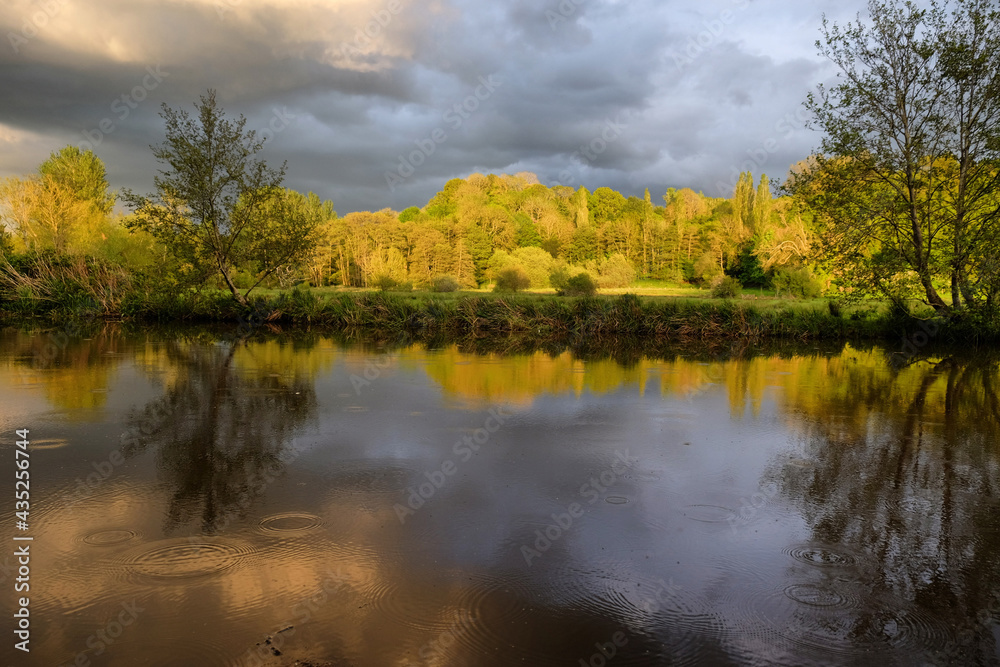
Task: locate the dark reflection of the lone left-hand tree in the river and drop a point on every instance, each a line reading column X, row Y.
column 222, row 431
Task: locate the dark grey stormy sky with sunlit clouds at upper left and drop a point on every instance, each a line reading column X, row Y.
column 377, row 103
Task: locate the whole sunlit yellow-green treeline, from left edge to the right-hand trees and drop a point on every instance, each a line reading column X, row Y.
column 469, row 232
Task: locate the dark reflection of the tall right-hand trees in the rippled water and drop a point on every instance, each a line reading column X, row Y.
column 905, row 471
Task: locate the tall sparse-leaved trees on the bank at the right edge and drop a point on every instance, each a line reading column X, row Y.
column 906, row 179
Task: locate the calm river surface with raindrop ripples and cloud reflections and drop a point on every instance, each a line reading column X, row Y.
column 200, row 502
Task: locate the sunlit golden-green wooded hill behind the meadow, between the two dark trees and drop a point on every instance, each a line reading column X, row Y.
column 477, row 226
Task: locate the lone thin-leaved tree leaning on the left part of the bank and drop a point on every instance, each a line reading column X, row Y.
column 216, row 205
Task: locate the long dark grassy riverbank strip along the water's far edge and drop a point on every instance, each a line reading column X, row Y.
column 531, row 314
